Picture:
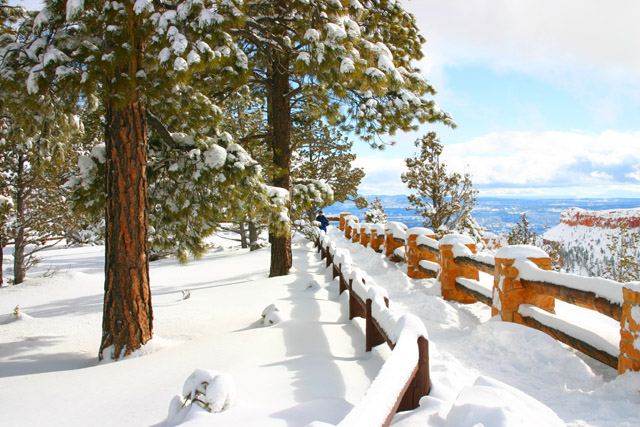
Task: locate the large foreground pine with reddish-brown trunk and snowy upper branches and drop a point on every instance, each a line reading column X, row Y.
column 131, row 55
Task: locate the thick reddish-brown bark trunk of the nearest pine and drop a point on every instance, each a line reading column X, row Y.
column 127, row 322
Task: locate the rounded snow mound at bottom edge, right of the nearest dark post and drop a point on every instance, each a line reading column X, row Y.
column 489, row 402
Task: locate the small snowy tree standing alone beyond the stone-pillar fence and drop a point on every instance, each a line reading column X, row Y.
column 445, row 200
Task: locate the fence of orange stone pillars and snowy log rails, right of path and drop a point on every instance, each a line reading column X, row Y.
column 519, row 286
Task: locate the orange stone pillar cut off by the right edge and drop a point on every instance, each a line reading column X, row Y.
column 629, row 359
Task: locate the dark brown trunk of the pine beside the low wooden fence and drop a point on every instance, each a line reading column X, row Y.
column 279, row 115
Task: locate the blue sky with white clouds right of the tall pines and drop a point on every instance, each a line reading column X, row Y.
column 546, row 95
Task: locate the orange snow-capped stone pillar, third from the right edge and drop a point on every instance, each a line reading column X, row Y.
column 450, row 271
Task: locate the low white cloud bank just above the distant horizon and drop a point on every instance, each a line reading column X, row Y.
column 544, row 163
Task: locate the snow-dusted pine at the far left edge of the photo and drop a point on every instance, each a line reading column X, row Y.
column 35, row 137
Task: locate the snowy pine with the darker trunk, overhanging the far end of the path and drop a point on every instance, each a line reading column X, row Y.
column 344, row 61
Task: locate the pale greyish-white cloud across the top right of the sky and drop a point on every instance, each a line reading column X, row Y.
column 593, row 33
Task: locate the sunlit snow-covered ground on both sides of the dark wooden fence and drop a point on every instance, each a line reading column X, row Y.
column 310, row 365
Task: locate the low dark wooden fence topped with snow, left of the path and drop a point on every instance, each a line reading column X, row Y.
column 404, row 377
